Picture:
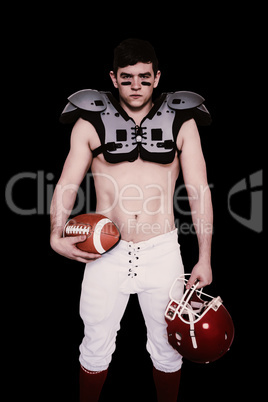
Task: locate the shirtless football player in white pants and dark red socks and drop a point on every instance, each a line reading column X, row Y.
column 134, row 188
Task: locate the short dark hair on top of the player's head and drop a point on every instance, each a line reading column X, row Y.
column 133, row 51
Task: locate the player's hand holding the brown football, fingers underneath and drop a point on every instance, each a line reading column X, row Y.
column 66, row 246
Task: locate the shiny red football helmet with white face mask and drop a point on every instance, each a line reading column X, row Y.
column 200, row 330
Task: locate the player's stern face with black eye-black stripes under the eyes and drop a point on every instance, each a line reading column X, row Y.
column 135, row 84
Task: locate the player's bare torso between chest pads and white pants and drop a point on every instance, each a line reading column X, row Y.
column 137, row 196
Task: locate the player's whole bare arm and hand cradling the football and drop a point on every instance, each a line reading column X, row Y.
column 75, row 168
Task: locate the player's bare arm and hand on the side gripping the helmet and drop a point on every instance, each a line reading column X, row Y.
column 195, row 179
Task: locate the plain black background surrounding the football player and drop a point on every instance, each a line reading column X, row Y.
column 51, row 55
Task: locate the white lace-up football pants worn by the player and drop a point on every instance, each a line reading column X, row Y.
column 147, row 268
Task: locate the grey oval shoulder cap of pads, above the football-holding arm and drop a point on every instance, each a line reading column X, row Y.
column 88, row 99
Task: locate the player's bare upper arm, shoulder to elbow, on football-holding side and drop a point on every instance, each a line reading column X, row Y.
column 79, row 158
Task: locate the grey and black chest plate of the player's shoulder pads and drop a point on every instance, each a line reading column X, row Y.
column 153, row 140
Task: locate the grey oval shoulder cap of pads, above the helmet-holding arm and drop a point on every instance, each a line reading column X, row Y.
column 184, row 100
